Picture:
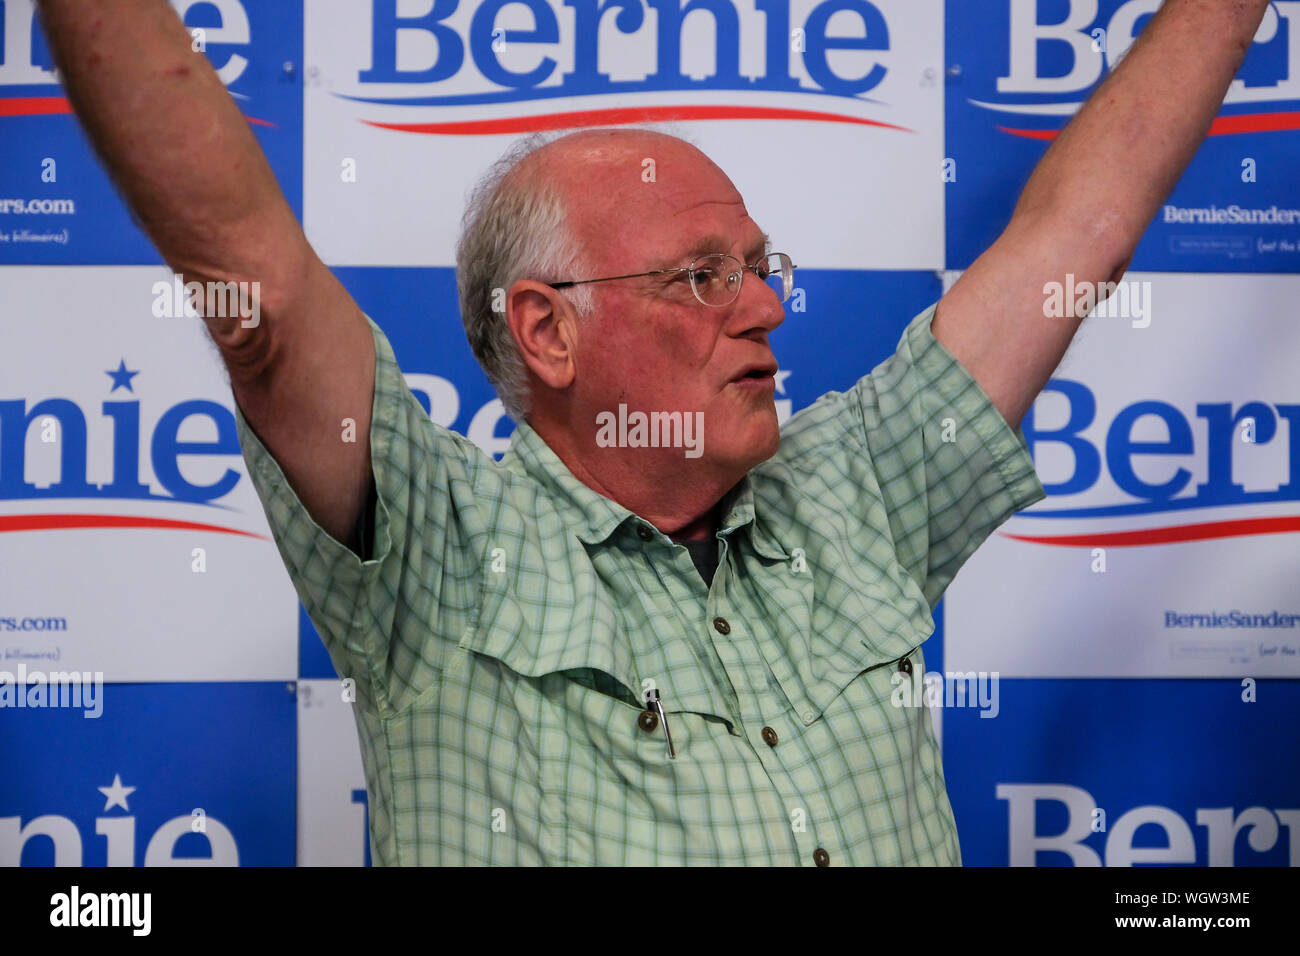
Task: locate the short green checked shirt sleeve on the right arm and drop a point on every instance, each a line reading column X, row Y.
column 951, row 469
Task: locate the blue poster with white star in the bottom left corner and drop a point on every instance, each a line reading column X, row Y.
column 150, row 776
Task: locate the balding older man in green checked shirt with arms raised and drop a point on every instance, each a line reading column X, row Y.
column 613, row 654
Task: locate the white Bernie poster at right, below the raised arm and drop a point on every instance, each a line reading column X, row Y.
column 1169, row 544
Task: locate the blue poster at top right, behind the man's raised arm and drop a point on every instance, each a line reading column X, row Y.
column 1019, row 72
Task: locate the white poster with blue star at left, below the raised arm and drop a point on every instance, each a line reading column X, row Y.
column 132, row 540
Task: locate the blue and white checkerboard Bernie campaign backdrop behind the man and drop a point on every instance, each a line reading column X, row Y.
column 1117, row 668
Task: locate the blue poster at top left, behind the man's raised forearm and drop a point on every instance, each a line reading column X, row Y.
column 58, row 205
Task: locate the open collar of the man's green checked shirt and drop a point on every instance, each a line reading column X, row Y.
column 596, row 518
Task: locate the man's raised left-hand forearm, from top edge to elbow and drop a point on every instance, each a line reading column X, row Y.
column 171, row 136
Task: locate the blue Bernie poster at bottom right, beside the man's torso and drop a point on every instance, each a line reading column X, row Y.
column 1128, row 773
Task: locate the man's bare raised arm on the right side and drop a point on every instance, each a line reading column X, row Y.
column 1093, row 197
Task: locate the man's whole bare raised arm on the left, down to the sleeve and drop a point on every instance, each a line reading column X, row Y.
column 181, row 152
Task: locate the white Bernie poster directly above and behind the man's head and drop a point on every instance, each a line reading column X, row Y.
column 830, row 122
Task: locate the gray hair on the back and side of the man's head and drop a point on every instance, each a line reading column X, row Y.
column 512, row 231
